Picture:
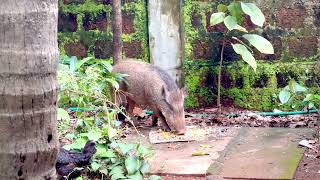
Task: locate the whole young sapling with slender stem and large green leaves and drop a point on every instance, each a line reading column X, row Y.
column 232, row 16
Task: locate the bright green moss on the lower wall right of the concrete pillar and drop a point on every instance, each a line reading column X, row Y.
column 257, row 91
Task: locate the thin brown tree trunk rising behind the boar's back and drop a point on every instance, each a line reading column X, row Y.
column 117, row 30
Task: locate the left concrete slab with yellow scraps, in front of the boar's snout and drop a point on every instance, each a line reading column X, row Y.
column 176, row 158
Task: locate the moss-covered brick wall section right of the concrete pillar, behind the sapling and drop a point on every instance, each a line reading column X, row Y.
column 292, row 26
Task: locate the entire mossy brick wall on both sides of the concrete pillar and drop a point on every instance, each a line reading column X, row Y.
column 293, row 27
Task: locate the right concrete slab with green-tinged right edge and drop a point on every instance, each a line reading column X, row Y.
column 262, row 153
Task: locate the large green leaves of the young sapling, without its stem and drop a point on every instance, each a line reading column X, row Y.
column 232, row 17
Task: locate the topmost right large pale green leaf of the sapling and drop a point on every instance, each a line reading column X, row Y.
column 254, row 12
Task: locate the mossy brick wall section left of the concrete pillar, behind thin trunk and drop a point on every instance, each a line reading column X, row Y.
column 85, row 28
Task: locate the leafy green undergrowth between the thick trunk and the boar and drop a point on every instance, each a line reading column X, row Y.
column 86, row 83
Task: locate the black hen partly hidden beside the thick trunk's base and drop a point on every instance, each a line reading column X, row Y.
column 68, row 160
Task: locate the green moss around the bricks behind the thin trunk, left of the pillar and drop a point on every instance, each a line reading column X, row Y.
column 92, row 10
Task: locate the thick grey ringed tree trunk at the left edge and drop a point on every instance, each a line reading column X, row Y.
column 28, row 89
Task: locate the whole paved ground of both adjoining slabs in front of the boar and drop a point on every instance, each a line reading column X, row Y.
column 232, row 153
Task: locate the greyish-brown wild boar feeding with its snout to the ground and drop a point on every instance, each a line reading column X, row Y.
column 149, row 86
